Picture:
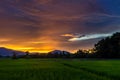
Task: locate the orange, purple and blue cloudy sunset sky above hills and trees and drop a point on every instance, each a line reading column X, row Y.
column 45, row 25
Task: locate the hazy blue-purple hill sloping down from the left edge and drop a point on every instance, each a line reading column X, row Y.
column 4, row 52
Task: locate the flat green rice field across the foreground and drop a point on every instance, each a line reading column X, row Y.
column 59, row 69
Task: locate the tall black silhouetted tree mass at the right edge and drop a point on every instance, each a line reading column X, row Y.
column 108, row 47
